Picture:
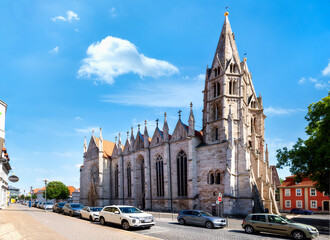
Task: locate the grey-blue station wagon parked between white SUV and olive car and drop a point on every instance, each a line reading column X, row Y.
column 201, row 218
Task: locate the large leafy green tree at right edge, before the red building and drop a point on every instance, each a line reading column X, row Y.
column 311, row 158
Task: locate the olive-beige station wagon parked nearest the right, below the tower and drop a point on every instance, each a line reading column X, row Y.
column 264, row 222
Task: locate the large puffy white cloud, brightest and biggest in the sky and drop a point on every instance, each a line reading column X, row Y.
column 113, row 57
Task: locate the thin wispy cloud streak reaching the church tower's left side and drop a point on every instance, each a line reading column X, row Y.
column 168, row 93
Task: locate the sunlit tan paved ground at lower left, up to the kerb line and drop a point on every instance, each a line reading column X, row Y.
column 19, row 222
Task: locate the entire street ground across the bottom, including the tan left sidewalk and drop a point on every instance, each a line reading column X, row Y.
column 21, row 222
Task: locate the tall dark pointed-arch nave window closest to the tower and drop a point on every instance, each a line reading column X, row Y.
column 181, row 162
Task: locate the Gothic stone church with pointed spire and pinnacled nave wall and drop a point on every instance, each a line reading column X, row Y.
column 188, row 168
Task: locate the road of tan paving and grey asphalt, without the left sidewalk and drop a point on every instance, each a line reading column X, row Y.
column 75, row 228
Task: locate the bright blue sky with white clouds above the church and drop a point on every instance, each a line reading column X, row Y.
column 68, row 67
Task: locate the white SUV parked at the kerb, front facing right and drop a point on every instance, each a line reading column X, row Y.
column 126, row 216
